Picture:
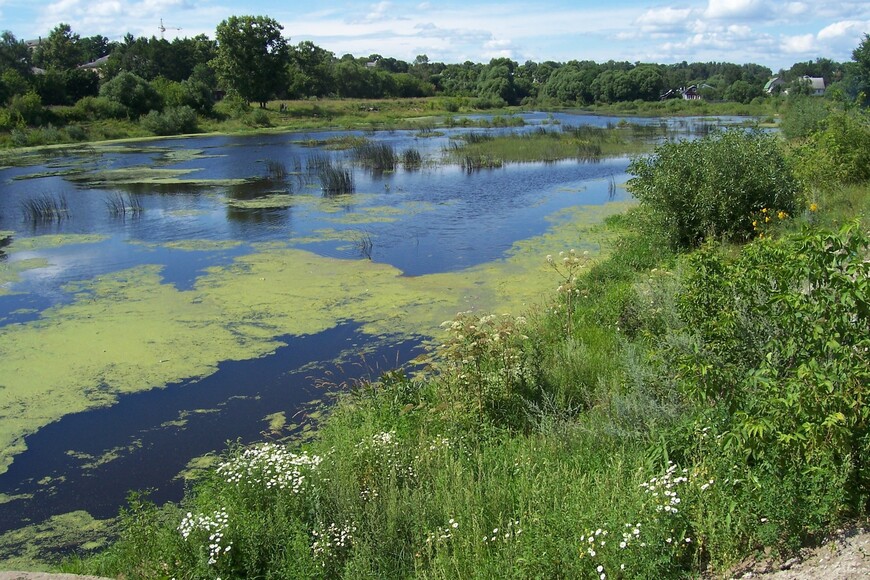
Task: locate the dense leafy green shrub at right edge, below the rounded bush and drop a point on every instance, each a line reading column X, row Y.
column 781, row 340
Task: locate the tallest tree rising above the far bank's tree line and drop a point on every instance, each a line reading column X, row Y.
column 252, row 57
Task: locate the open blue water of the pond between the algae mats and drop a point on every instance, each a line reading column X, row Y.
column 437, row 218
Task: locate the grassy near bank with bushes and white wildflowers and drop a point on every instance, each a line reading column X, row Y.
column 685, row 402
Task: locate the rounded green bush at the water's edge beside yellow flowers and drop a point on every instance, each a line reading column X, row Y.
column 710, row 188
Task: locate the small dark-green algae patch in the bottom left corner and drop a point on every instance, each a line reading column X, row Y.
column 37, row 546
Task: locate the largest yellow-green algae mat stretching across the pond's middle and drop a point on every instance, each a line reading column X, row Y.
column 140, row 333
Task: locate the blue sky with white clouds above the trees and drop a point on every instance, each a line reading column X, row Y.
column 772, row 33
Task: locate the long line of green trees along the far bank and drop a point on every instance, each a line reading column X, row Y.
column 250, row 59
